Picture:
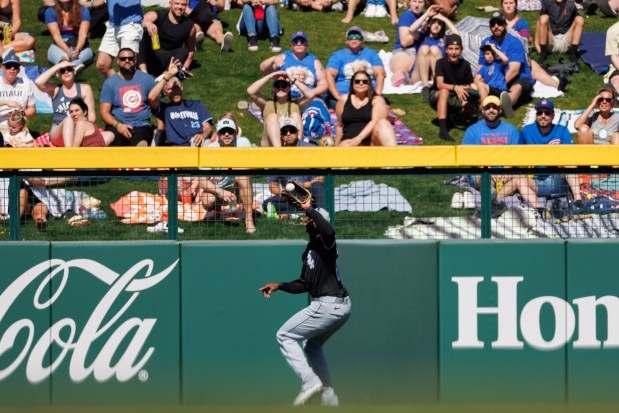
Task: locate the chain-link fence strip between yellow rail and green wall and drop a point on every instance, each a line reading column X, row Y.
column 412, row 203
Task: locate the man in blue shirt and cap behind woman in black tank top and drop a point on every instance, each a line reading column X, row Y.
column 344, row 63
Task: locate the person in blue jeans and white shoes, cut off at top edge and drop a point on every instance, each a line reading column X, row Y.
column 259, row 19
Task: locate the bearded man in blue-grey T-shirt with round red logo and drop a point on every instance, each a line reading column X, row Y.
column 124, row 103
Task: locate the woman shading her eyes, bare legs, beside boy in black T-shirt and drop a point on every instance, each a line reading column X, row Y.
column 432, row 48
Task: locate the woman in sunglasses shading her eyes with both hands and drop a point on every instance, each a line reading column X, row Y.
column 280, row 105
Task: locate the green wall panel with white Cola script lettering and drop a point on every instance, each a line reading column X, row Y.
column 100, row 319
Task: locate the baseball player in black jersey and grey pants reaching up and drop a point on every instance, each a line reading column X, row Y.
column 328, row 311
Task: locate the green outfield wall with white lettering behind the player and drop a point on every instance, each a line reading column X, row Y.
column 167, row 323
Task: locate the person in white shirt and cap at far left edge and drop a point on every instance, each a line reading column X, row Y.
column 16, row 93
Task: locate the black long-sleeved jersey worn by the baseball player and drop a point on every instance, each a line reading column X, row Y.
column 320, row 275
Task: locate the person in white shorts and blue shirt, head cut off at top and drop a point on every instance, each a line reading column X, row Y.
column 124, row 31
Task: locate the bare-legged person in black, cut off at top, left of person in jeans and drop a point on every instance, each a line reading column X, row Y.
column 202, row 13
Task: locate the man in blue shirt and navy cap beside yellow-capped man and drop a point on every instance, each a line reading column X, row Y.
column 544, row 132
